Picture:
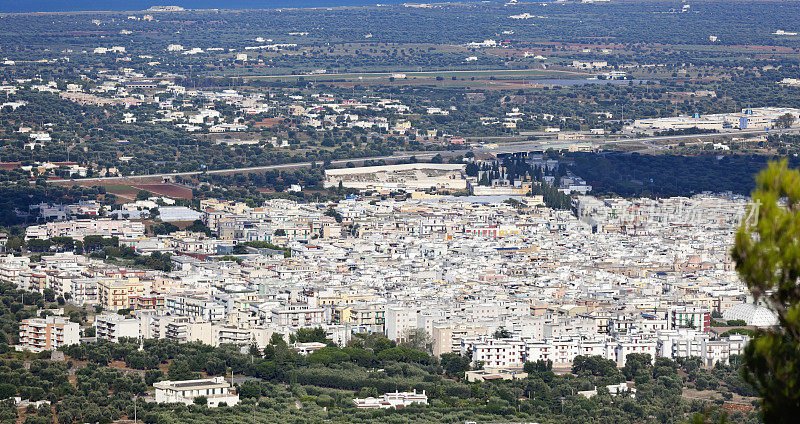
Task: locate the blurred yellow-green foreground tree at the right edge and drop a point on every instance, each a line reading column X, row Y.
column 767, row 256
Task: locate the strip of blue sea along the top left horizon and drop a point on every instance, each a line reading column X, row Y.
column 131, row 5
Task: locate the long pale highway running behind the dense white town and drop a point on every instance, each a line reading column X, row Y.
column 503, row 148
